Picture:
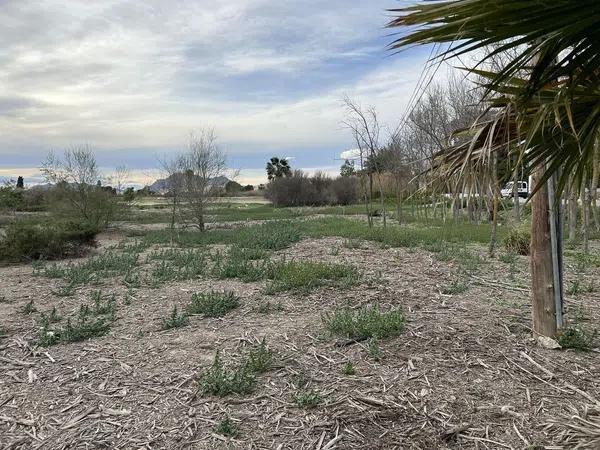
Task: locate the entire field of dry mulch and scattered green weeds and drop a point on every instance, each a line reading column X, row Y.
column 291, row 328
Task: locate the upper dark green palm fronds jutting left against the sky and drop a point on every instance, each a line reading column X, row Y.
column 554, row 39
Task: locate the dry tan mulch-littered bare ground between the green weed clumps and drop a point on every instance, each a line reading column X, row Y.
column 465, row 374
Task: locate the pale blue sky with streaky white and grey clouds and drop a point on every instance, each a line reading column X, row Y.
column 133, row 78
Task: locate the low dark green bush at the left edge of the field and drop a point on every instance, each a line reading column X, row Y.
column 26, row 241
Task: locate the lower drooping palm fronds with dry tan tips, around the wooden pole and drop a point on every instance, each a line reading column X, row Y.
column 556, row 129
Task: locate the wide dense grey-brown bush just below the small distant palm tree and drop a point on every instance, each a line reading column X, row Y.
column 301, row 190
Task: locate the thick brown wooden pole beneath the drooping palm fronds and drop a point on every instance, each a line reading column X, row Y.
column 542, row 280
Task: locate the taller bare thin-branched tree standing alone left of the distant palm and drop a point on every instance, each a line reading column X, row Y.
column 203, row 163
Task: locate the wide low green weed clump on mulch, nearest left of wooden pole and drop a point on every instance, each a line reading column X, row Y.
column 364, row 323
